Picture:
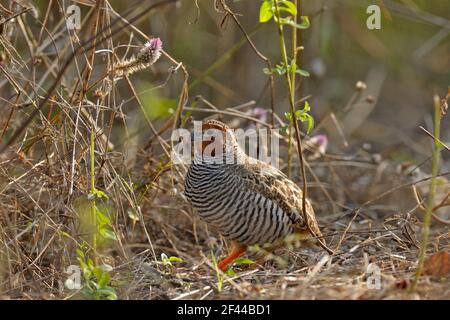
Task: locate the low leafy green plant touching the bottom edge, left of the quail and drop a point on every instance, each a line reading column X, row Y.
column 96, row 278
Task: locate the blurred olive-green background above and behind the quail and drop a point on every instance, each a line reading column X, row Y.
column 403, row 65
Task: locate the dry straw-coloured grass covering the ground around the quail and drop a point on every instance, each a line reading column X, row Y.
column 56, row 87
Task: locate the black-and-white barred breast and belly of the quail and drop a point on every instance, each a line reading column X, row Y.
column 229, row 203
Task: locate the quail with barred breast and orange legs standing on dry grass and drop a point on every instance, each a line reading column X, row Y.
column 248, row 201
